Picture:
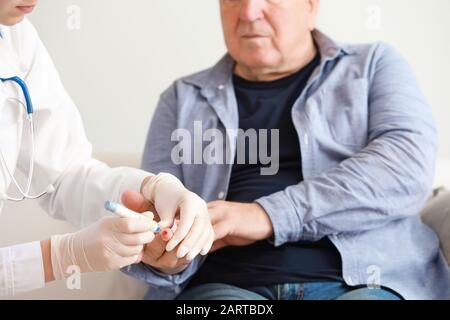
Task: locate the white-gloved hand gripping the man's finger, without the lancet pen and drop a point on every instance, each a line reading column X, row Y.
column 171, row 199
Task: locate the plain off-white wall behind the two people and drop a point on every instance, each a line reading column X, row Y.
column 127, row 52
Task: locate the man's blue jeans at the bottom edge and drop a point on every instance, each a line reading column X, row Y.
column 289, row 291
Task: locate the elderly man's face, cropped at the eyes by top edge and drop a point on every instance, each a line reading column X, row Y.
column 267, row 33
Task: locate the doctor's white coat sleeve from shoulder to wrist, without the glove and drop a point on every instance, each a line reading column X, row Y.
column 63, row 154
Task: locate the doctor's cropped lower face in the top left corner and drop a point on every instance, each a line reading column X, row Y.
column 13, row 11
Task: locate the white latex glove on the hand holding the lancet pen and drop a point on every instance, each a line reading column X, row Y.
column 109, row 244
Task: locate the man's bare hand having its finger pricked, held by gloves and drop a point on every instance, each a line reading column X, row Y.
column 155, row 253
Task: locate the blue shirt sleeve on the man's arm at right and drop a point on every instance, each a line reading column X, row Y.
column 387, row 180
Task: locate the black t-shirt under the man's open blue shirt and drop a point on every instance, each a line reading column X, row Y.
column 268, row 105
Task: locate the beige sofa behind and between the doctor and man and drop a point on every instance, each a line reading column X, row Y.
column 35, row 224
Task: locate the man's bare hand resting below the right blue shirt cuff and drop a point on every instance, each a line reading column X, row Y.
column 238, row 224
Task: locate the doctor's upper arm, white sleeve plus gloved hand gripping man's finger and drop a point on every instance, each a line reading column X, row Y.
column 63, row 158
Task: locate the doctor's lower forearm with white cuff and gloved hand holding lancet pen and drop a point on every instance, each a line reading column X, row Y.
column 109, row 244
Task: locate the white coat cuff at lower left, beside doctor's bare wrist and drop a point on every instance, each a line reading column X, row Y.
column 21, row 269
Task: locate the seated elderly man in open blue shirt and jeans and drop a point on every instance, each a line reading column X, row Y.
column 353, row 143
